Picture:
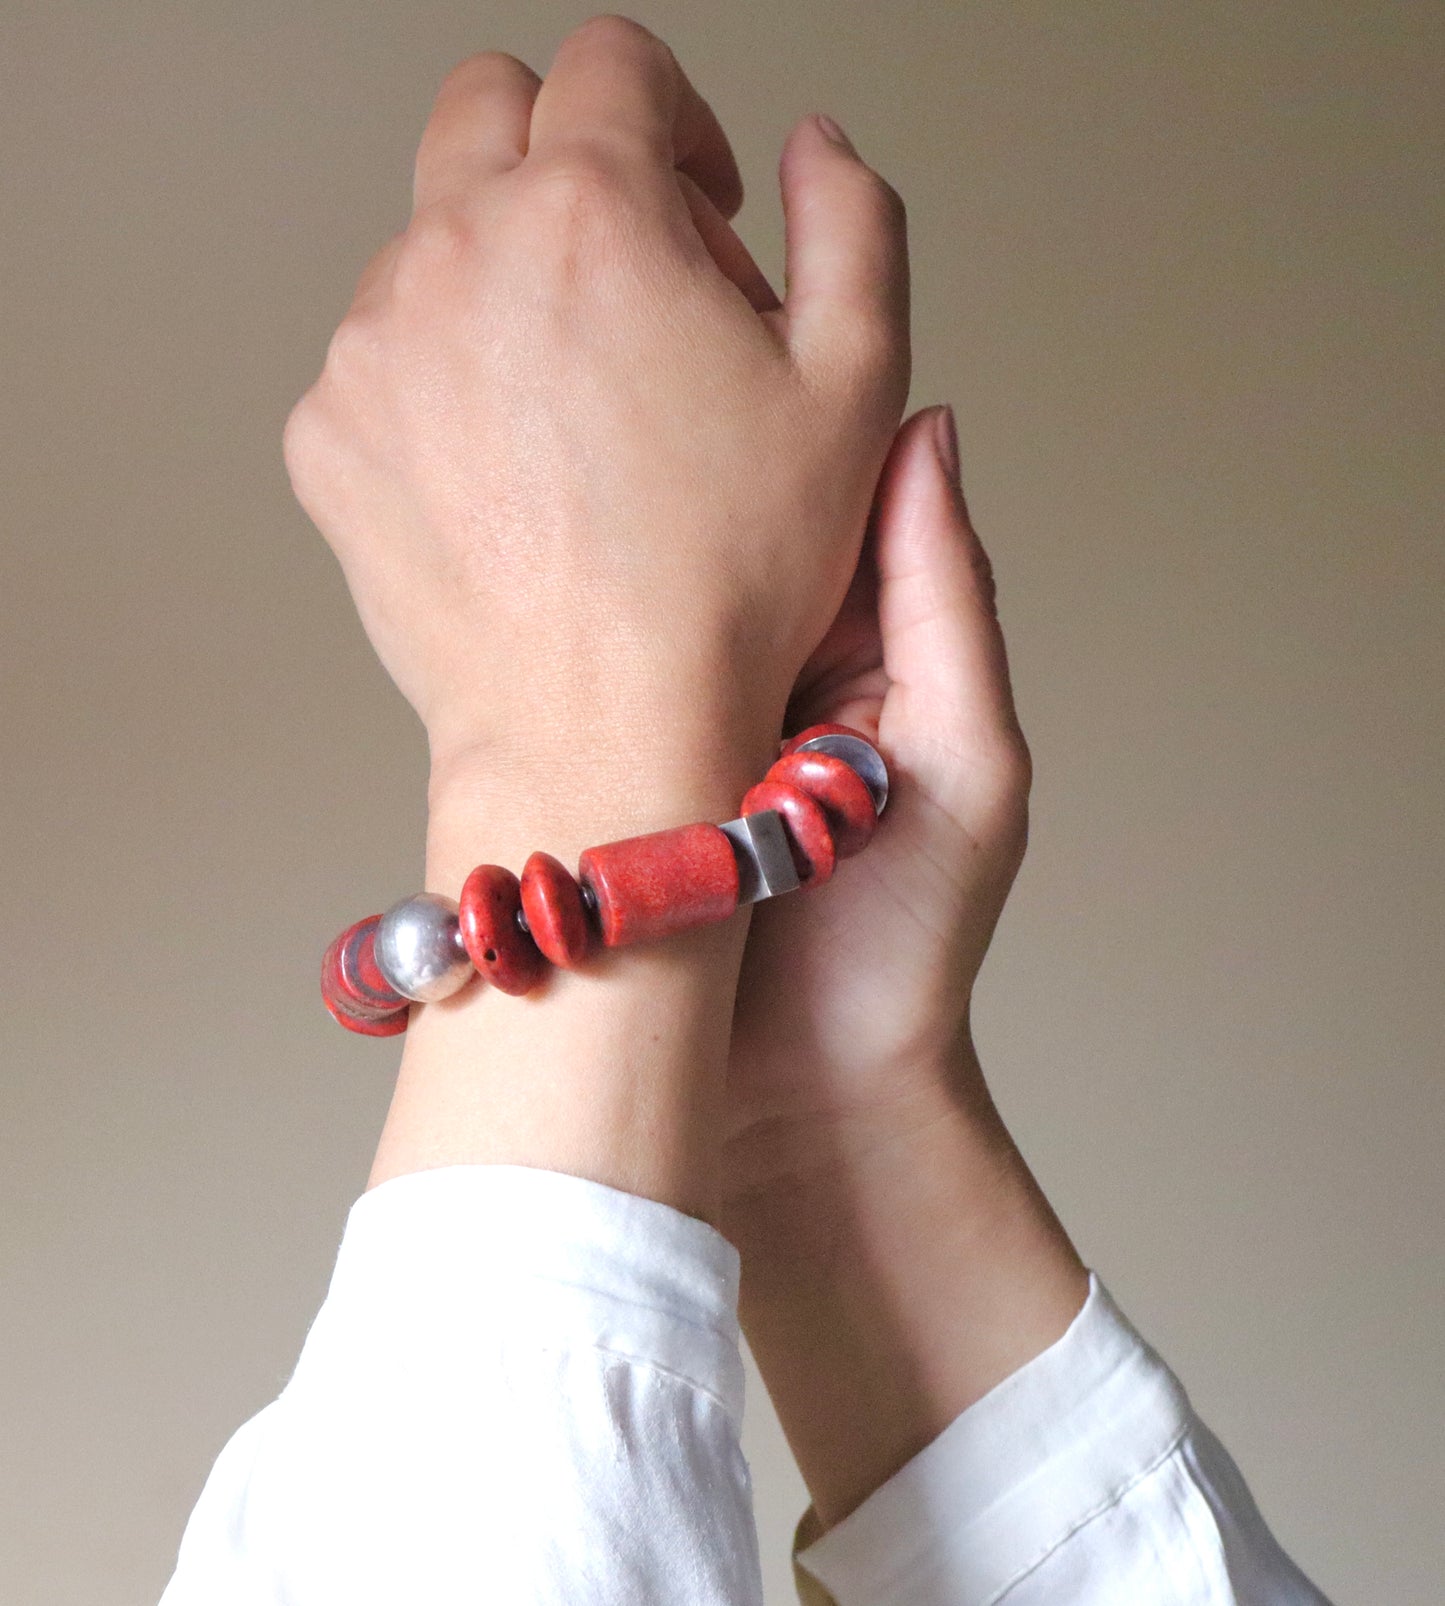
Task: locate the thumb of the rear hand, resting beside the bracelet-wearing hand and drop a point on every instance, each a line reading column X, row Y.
column 943, row 646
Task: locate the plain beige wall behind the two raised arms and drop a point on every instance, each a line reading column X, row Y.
column 1179, row 267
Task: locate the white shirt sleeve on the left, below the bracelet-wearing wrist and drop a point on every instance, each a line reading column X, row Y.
column 523, row 1387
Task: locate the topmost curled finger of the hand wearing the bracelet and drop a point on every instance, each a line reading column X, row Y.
column 617, row 88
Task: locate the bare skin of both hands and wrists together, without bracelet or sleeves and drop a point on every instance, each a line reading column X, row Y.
column 601, row 499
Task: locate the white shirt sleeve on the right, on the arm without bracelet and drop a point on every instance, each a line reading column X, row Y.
column 1085, row 1480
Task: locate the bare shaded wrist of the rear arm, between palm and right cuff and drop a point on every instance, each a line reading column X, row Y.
column 897, row 1282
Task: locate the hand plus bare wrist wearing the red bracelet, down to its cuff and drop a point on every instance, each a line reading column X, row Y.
column 598, row 495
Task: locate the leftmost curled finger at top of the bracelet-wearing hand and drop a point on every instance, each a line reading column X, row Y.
column 478, row 129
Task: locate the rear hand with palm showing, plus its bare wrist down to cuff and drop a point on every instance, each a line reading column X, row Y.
column 898, row 1260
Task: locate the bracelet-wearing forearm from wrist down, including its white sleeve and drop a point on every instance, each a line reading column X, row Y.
column 497, row 1327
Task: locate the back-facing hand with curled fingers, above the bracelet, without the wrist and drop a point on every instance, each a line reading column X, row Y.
column 595, row 491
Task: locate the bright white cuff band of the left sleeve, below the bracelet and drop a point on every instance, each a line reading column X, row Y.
column 572, row 1263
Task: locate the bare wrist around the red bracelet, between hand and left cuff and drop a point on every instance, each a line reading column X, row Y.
column 614, row 1072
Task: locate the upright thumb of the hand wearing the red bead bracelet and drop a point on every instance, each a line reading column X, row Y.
column 847, row 256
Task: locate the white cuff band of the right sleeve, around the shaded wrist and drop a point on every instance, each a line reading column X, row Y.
column 1012, row 1478
